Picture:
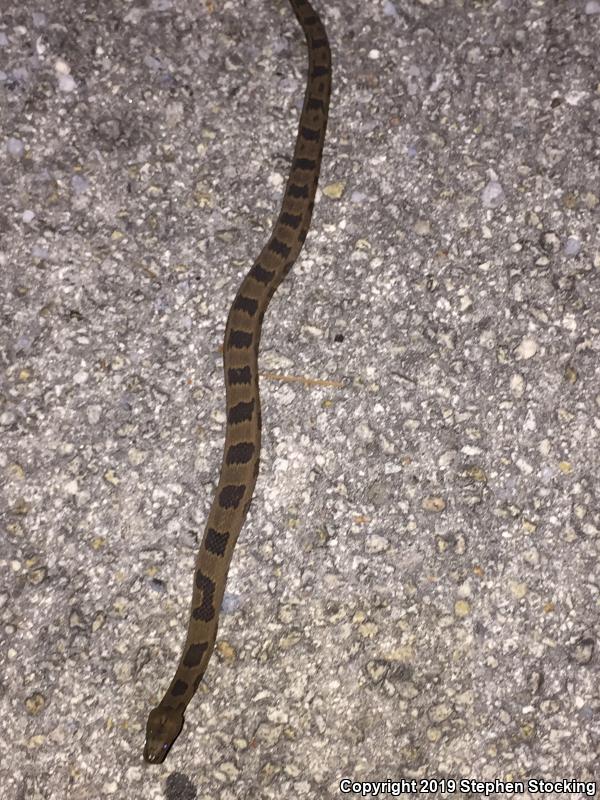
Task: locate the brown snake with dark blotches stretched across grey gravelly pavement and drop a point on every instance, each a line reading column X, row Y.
column 241, row 454
